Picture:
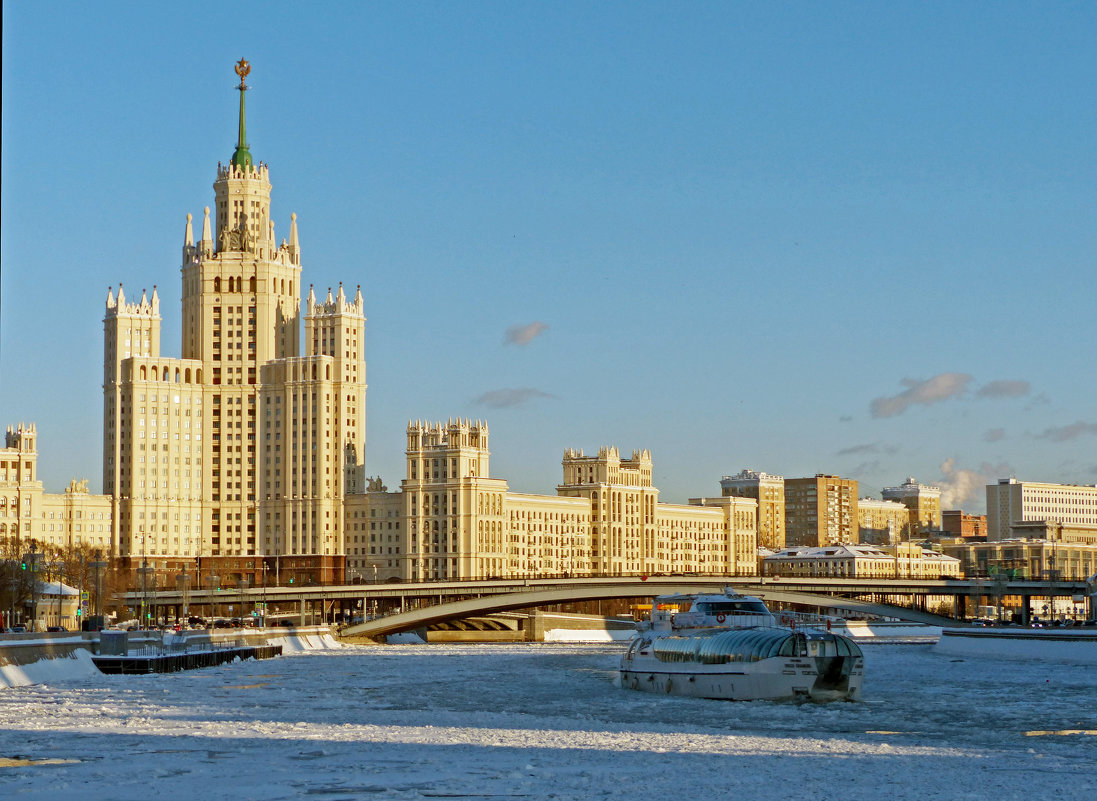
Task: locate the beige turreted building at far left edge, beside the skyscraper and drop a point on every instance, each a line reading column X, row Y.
column 75, row 517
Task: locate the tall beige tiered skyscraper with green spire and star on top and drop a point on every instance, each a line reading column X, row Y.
column 240, row 455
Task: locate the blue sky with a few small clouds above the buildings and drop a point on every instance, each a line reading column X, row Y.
column 855, row 239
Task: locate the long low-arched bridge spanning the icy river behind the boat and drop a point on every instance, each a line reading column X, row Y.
column 408, row 606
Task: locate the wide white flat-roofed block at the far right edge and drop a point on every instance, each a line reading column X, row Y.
column 1012, row 503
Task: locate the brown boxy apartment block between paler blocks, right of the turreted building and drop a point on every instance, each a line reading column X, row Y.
column 821, row 511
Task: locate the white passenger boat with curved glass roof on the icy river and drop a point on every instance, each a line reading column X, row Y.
column 730, row 647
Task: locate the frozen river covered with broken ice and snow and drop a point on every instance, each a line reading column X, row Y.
column 547, row 721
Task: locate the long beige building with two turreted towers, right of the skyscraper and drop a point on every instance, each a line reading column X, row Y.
column 451, row 520
